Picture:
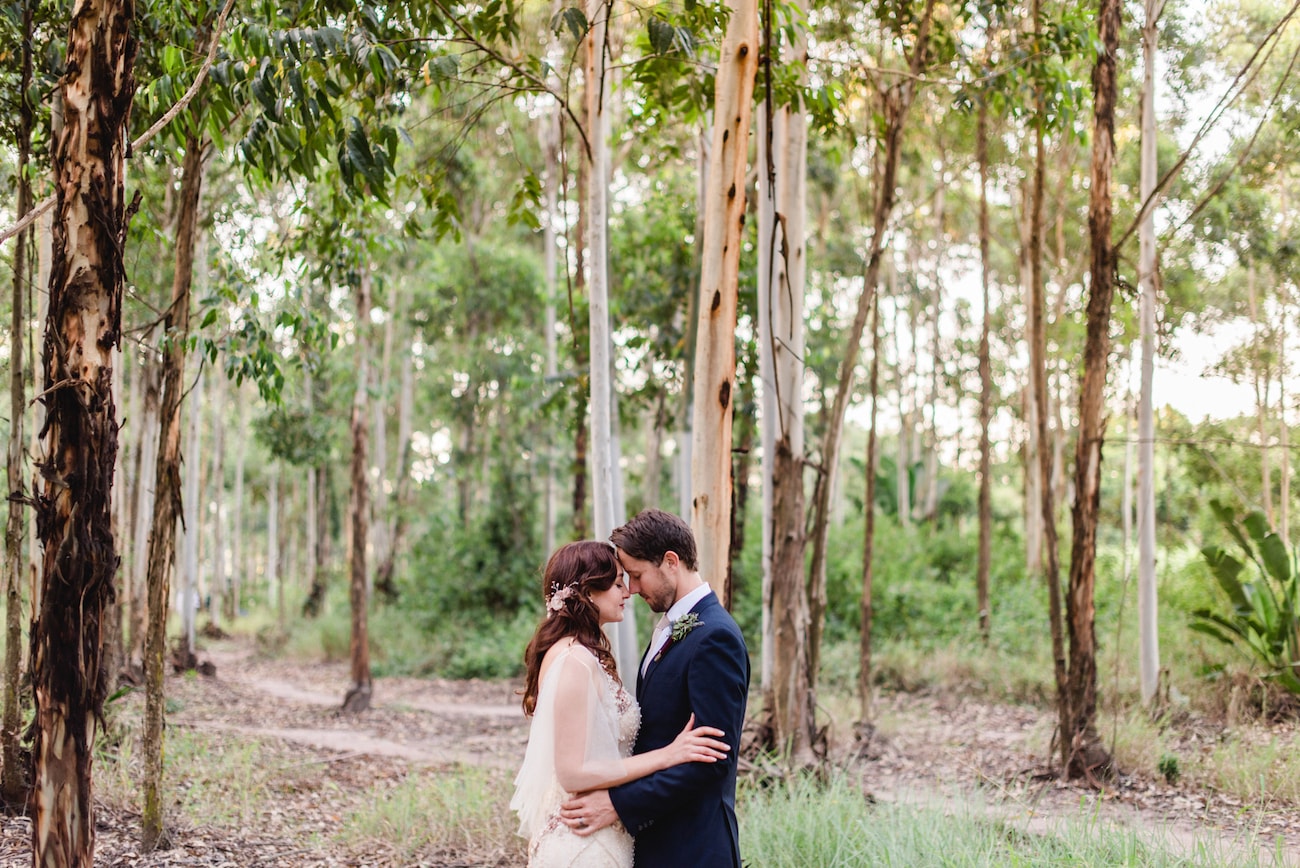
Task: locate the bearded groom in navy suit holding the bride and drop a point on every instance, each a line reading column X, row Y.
column 697, row 663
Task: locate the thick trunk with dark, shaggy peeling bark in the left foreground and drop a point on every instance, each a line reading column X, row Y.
column 75, row 504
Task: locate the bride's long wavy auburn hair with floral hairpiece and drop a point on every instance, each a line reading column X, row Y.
column 573, row 575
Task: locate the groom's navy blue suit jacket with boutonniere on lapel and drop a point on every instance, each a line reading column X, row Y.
column 686, row 817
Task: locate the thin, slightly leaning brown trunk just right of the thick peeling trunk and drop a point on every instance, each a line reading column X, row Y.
column 167, row 491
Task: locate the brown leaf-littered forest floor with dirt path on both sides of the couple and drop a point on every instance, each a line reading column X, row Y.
column 324, row 767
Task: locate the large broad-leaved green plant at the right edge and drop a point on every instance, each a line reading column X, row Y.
column 1264, row 610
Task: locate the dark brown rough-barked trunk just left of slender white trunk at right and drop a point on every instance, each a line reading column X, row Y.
column 1082, row 750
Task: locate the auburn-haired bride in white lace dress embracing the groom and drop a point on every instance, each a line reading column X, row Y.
column 584, row 722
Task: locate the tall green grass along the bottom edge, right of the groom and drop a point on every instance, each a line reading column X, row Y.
column 804, row 824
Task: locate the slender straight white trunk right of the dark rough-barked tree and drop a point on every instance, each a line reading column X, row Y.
column 1147, row 604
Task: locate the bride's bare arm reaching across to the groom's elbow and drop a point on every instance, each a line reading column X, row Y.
column 587, row 752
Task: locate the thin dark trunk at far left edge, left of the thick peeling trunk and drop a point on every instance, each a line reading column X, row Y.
column 14, row 785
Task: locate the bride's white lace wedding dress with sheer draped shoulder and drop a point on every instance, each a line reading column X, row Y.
column 584, row 727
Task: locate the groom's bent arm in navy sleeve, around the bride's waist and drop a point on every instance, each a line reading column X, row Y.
column 717, row 688
